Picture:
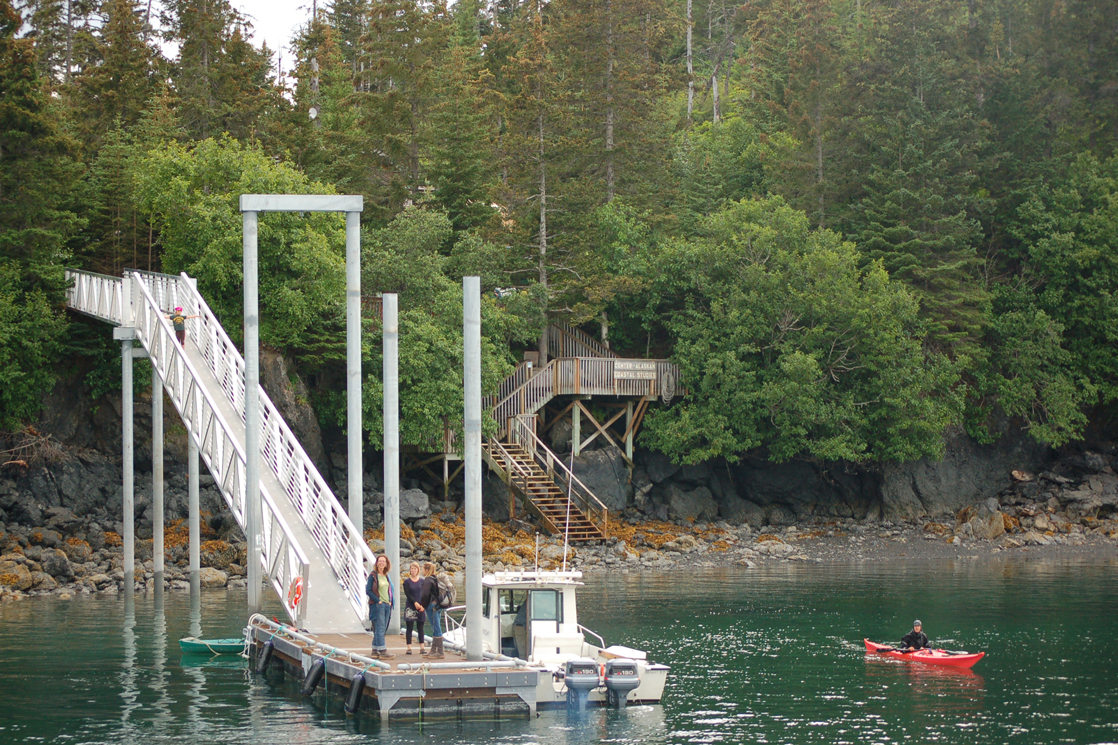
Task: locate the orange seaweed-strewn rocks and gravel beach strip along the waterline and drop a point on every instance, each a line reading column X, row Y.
column 71, row 557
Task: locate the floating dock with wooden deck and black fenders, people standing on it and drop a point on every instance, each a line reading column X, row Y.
column 435, row 693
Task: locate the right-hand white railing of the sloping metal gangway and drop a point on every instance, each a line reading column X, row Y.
column 329, row 524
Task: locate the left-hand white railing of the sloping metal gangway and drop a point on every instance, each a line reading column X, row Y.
column 282, row 558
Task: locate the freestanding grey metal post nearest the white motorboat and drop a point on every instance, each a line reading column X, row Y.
column 472, row 454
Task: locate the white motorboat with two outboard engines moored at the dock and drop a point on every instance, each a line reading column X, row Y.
column 534, row 617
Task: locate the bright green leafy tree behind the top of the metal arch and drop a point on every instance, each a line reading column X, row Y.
column 194, row 195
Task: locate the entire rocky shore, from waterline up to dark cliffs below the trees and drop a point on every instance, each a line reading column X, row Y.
column 61, row 530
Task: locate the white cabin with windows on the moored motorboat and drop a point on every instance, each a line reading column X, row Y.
column 533, row 616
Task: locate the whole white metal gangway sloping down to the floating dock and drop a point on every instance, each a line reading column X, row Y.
column 310, row 550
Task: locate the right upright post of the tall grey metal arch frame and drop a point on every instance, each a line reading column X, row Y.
column 355, row 464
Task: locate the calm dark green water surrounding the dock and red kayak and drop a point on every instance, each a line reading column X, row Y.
column 766, row 656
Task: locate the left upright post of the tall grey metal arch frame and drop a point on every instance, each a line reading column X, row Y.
column 251, row 222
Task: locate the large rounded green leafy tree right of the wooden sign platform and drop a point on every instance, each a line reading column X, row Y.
column 785, row 344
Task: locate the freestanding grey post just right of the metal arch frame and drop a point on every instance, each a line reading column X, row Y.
column 392, row 426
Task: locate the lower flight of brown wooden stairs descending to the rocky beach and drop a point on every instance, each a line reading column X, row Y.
column 542, row 484
